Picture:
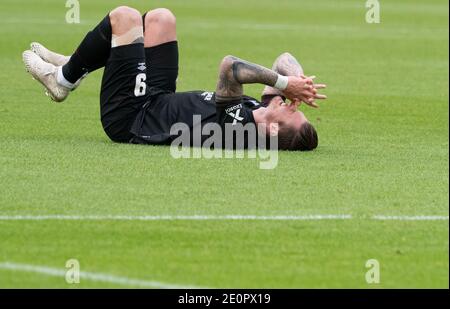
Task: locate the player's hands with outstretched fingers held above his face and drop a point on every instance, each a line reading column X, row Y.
column 303, row 89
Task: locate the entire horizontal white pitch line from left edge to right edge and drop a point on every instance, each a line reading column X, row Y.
column 215, row 218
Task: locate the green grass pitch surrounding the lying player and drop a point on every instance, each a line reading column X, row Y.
column 383, row 151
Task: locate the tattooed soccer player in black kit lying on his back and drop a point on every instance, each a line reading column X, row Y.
column 138, row 99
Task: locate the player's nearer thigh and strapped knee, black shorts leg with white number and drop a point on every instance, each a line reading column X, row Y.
column 124, row 88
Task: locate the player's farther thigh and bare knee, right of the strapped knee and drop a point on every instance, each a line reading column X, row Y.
column 161, row 49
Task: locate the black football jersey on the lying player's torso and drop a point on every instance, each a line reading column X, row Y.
column 194, row 110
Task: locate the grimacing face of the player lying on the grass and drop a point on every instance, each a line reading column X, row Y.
column 285, row 114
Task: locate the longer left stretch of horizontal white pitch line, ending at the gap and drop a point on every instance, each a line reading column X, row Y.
column 173, row 218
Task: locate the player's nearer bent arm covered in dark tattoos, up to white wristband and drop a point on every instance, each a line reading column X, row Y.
column 235, row 72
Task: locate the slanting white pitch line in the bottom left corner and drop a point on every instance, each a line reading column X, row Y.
column 91, row 276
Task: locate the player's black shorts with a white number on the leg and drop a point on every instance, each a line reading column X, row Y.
column 131, row 74
